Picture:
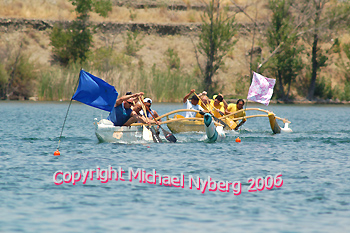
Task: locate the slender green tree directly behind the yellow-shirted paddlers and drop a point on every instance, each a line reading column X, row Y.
column 215, row 40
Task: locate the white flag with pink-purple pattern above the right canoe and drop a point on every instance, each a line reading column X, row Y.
column 261, row 89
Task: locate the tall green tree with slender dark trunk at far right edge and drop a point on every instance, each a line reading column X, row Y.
column 324, row 18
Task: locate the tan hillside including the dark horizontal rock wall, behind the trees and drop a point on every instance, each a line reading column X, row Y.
column 164, row 25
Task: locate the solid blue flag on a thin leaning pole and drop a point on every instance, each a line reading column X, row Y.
column 95, row 92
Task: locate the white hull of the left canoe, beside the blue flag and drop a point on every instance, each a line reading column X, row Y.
column 106, row 132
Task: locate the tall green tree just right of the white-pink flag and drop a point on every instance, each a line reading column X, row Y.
column 286, row 63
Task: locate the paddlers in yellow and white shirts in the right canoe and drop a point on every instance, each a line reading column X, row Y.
column 217, row 106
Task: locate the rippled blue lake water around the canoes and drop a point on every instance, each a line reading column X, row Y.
column 313, row 160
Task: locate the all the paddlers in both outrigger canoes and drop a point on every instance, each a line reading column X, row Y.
column 130, row 108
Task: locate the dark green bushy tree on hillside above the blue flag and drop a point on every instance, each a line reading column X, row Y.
column 72, row 44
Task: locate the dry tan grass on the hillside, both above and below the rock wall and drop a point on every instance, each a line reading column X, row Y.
column 236, row 64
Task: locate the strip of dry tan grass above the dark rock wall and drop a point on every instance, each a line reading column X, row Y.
column 63, row 10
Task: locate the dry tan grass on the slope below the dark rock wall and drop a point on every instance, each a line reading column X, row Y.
column 236, row 64
